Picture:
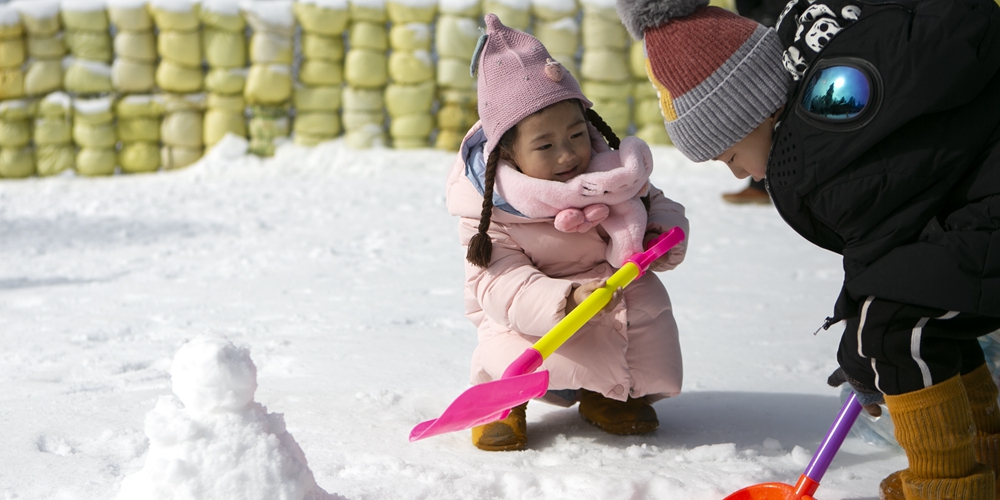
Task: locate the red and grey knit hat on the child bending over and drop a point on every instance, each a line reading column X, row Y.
column 719, row 75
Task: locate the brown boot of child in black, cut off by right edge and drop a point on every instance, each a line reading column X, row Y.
column 982, row 392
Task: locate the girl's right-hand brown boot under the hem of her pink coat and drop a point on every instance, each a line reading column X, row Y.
column 634, row 416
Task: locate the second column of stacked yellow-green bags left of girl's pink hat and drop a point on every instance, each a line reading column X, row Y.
column 409, row 98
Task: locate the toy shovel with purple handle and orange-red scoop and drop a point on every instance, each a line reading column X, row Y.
column 809, row 480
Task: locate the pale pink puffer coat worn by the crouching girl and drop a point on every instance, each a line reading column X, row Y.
column 633, row 351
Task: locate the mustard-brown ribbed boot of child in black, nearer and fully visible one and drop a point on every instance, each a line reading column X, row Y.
column 934, row 427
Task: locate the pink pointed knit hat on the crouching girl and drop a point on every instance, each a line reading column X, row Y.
column 517, row 77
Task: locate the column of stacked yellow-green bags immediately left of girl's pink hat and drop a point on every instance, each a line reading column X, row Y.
column 456, row 34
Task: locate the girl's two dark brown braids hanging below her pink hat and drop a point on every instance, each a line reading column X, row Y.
column 480, row 251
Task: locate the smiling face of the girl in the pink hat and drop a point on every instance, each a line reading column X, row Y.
column 553, row 144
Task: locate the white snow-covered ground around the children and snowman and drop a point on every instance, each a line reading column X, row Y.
column 341, row 272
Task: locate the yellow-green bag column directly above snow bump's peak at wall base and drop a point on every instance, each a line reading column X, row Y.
column 224, row 37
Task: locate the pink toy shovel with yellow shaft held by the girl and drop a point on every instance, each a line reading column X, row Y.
column 492, row 401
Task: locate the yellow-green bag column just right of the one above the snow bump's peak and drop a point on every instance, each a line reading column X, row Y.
column 269, row 83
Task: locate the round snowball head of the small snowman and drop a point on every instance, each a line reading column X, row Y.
column 211, row 374
